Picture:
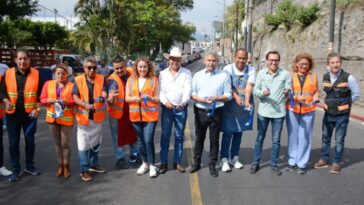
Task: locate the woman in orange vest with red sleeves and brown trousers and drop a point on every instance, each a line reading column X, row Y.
column 57, row 96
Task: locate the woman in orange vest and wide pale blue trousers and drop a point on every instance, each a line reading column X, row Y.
column 301, row 112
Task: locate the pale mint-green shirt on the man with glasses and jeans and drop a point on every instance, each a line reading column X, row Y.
column 273, row 105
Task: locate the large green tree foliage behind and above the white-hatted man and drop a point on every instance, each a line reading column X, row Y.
column 108, row 27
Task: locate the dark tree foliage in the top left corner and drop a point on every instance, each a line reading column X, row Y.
column 15, row 9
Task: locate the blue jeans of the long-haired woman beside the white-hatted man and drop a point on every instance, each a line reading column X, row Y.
column 145, row 133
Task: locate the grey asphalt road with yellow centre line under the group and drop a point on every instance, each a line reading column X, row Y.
column 236, row 187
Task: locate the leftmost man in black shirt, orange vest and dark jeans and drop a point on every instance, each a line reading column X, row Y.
column 20, row 91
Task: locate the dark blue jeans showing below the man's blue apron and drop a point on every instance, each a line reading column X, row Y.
column 233, row 138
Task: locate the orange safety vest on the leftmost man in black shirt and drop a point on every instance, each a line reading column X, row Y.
column 30, row 89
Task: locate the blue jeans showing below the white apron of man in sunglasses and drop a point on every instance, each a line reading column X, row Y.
column 89, row 158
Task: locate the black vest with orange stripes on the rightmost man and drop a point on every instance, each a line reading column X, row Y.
column 338, row 95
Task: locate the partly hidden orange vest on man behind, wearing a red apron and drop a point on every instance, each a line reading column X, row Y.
column 116, row 109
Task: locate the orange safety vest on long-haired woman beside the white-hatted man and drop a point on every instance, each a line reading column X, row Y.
column 139, row 111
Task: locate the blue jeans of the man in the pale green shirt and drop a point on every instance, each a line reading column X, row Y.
column 277, row 124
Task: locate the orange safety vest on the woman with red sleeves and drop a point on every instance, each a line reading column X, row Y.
column 68, row 114
